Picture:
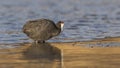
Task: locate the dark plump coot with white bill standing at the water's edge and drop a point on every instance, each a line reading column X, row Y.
column 42, row 29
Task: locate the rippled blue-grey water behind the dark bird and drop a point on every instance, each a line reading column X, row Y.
column 84, row 19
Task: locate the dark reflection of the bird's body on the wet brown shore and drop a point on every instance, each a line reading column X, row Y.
column 41, row 51
